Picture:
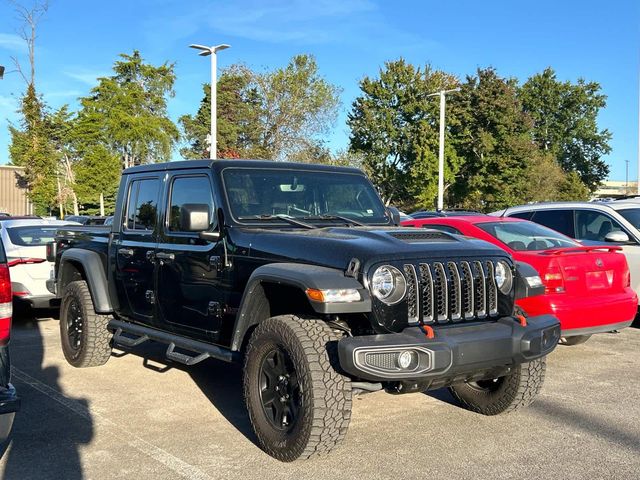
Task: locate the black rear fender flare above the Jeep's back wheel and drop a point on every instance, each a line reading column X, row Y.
column 94, row 274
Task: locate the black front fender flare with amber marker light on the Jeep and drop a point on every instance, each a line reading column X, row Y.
column 300, row 276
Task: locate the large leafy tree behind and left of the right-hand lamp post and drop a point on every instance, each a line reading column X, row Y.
column 394, row 126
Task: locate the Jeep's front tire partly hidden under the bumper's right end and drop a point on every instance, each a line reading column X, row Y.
column 505, row 394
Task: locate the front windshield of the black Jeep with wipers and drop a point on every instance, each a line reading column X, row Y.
column 306, row 195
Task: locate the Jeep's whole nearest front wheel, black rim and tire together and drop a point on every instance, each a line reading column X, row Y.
column 299, row 405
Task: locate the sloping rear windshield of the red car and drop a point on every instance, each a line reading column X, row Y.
column 522, row 236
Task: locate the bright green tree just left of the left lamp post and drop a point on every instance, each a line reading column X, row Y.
column 127, row 112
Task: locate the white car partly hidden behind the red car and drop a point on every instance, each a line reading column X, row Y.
column 591, row 223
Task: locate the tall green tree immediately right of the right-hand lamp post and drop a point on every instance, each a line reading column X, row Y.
column 494, row 138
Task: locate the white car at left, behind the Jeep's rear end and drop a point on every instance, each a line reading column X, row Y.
column 25, row 242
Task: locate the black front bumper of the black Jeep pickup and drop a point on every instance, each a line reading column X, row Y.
column 457, row 350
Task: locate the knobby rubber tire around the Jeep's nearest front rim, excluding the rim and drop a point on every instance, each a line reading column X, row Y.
column 325, row 409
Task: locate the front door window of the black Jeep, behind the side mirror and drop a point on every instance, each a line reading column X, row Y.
column 189, row 190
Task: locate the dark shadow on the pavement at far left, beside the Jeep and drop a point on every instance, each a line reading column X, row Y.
column 46, row 435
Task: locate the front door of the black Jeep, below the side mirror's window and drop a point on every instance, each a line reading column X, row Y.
column 190, row 298
